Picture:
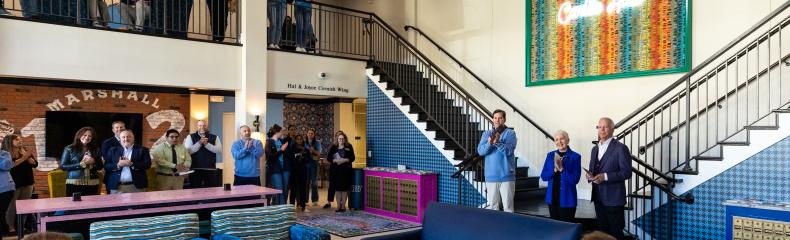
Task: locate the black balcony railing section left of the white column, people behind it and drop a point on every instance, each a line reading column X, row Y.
column 209, row 20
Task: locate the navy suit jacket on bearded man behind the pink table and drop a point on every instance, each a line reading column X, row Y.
column 141, row 161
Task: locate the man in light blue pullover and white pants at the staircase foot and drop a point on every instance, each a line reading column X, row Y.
column 498, row 146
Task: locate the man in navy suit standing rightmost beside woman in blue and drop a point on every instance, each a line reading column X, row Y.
column 610, row 167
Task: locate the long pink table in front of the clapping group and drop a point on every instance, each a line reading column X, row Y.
column 137, row 202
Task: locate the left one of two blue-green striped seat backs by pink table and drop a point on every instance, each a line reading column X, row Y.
column 169, row 227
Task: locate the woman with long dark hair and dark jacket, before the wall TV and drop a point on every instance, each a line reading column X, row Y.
column 82, row 163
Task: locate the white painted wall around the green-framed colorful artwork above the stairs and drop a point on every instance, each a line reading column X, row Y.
column 489, row 37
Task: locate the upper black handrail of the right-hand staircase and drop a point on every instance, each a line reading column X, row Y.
column 703, row 65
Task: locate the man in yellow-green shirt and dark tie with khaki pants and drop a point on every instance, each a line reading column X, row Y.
column 173, row 161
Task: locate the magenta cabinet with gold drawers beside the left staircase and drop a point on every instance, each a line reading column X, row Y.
column 401, row 194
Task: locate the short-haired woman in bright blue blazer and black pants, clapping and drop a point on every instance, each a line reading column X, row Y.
column 562, row 170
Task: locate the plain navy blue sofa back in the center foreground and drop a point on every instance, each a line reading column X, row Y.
column 445, row 221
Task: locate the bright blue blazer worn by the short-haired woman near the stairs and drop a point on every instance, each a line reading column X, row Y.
column 569, row 177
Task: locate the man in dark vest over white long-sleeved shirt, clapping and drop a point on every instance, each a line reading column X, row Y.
column 204, row 148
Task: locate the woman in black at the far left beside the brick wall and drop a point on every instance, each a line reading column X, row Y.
column 22, row 173
